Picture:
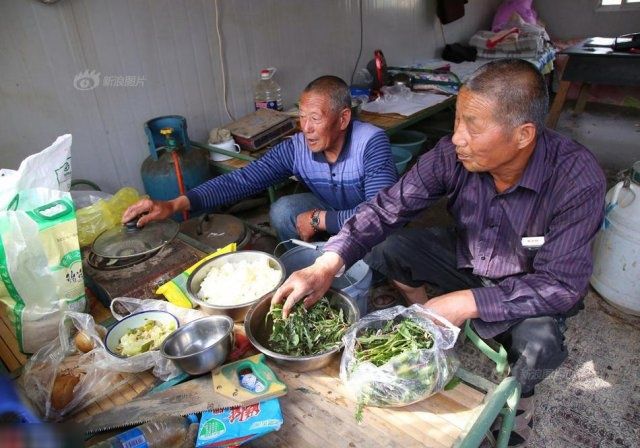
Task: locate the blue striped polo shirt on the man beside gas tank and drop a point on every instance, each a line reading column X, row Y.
column 365, row 166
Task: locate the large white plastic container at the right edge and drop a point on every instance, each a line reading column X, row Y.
column 616, row 266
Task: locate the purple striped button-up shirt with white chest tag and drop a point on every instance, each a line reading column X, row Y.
column 560, row 197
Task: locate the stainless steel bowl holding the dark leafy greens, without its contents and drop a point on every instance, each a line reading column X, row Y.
column 258, row 330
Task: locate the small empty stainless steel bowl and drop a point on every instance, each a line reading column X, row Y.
column 201, row 345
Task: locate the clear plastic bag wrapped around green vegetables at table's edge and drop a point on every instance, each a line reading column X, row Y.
column 408, row 377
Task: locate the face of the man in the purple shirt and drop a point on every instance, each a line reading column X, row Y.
column 482, row 142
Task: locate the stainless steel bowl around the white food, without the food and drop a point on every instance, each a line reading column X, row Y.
column 236, row 312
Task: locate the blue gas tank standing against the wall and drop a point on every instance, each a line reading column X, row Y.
column 165, row 136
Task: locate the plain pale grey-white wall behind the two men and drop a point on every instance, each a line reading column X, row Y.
column 172, row 45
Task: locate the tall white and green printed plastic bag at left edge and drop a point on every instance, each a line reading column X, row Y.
column 40, row 262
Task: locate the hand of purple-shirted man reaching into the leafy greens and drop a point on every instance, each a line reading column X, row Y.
column 309, row 283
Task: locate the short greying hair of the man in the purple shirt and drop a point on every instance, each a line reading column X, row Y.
column 518, row 89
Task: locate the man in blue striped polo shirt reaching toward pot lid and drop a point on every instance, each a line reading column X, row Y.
column 343, row 162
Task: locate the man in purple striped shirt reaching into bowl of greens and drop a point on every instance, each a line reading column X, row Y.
column 527, row 203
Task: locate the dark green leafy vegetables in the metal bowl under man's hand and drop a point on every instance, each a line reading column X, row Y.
column 307, row 332
